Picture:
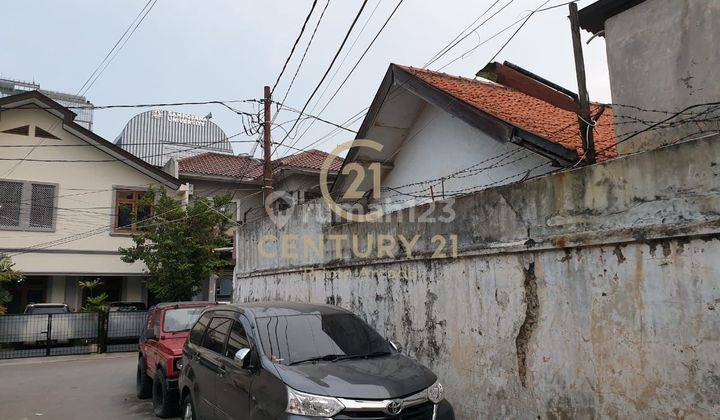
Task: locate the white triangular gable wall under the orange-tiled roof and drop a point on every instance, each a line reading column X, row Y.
column 439, row 144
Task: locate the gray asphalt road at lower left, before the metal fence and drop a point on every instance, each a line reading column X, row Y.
column 71, row 387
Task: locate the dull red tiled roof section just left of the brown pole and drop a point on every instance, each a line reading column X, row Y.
column 221, row 165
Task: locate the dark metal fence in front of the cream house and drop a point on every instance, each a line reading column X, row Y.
column 74, row 333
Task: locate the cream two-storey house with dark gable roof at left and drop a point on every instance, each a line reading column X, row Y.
column 66, row 200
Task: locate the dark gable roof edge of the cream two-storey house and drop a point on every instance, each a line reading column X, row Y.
column 37, row 99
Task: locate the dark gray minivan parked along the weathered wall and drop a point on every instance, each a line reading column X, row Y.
column 300, row 361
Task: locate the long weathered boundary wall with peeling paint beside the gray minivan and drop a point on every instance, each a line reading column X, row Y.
column 589, row 293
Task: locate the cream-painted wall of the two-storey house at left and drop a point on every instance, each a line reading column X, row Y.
column 85, row 199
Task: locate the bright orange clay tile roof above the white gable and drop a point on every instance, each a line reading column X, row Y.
column 524, row 111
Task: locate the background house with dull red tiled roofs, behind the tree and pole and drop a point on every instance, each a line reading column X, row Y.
column 217, row 174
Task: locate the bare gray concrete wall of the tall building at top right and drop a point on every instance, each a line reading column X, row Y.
column 662, row 52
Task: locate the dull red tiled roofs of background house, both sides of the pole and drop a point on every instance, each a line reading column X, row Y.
column 245, row 167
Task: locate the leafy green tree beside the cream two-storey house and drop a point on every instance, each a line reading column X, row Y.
column 177, row 243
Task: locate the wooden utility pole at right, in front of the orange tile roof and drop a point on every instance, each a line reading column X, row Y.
column 586, row 131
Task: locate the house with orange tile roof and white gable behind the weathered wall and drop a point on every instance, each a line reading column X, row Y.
column 445, row 135
